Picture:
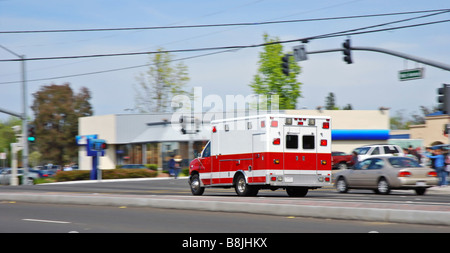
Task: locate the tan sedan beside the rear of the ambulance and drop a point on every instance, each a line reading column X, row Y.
column 385, row 173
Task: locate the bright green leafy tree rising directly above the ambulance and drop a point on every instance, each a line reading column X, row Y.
column 270, row 79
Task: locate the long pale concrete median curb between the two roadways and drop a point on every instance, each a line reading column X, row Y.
column 318, row 211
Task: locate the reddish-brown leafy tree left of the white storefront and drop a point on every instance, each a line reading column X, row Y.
column 57, row 109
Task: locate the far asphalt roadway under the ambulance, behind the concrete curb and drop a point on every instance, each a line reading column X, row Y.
column 180, row 187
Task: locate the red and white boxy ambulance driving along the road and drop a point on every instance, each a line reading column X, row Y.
column 272, row 151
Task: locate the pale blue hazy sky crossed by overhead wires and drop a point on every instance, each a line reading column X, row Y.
column 367, row 84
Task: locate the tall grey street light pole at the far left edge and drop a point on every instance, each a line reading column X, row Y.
column 24, row 115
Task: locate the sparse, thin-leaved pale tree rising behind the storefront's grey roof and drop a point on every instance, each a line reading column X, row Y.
column 160, row 83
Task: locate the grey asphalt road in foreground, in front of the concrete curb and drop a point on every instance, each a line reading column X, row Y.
column 50, row 218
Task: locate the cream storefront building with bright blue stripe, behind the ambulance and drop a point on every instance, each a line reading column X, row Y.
column 155, row 138
